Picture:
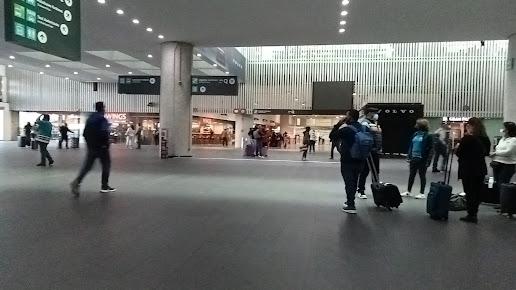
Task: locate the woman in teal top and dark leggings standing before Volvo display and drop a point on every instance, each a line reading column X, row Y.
column 419, row 156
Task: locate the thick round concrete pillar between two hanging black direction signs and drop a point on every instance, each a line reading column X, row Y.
column 176, row 97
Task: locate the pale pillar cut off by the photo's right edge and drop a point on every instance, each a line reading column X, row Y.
column 509, row 106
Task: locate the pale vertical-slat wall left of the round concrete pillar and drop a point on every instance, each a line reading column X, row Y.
column 30, row 91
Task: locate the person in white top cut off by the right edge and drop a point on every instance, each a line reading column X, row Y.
column 504, row 156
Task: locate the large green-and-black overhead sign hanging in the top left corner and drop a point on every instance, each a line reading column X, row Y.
column 50, row 26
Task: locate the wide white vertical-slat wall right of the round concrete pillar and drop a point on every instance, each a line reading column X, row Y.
column 450, row 78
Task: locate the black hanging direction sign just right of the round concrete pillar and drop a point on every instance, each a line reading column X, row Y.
column 215, row 86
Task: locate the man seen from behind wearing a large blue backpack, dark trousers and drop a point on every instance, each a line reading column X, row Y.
column 356, row 143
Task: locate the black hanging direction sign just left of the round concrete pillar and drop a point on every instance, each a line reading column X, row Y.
column 139, row 85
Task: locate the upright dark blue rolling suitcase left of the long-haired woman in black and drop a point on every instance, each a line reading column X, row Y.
column 438, row 200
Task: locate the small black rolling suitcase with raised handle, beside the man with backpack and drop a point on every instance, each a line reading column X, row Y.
column 384, row 194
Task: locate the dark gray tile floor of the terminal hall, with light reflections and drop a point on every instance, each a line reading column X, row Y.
column 219, row 221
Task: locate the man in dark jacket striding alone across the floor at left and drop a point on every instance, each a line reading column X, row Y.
column 96, row 134
